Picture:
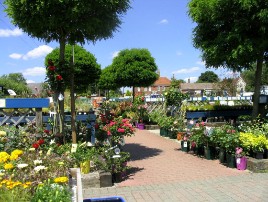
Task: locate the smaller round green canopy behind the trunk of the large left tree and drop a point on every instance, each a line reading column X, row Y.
column 86, row 69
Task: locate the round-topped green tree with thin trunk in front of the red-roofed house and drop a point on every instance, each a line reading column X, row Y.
column 134, row 68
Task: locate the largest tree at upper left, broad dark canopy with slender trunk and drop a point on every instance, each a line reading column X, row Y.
column 67, row 22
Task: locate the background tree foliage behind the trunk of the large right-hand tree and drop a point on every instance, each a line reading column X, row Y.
column 249, row 77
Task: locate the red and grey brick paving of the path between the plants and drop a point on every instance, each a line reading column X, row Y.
column 160, row 171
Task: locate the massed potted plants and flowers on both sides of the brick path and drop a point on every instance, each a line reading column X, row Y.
column 35, row 163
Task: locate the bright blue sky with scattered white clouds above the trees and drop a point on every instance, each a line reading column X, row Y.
column 161, row 26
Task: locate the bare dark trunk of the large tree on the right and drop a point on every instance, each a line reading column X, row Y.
column 256, row 96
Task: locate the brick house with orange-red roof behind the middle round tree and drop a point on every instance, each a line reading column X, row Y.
column 158, row 87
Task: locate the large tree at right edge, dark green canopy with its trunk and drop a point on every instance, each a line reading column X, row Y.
column 232, row 34
